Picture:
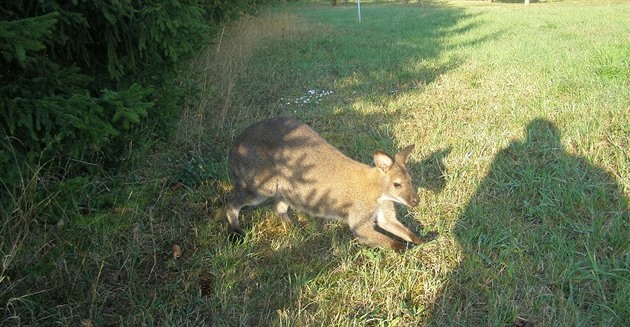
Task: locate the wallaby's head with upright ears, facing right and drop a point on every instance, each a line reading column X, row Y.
column 397, row 184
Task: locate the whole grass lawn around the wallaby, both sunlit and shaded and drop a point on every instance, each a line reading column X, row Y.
column 521, row 120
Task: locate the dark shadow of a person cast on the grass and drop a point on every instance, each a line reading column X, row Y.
column 544, row 241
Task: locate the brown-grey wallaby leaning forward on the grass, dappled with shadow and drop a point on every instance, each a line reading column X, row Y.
column 284, row 159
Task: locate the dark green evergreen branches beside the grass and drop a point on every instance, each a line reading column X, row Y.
column 80, row 79
